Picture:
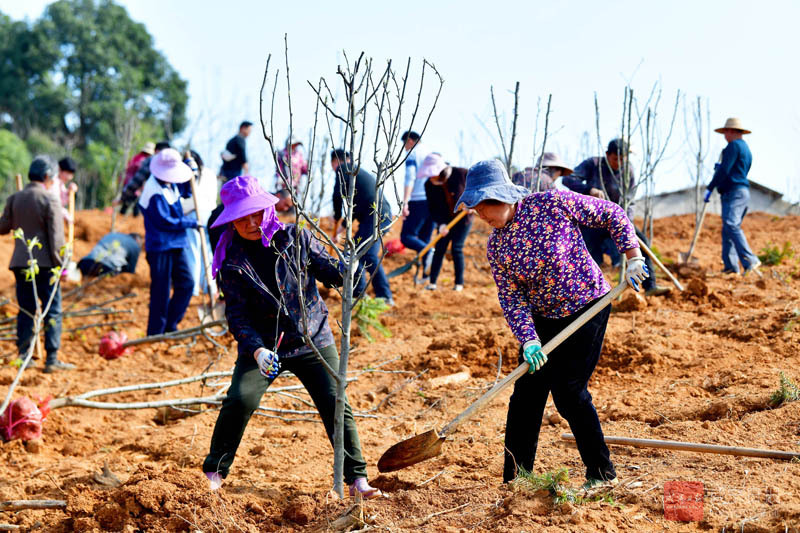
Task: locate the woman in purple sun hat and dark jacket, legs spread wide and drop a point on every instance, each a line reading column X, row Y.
column 255, row 261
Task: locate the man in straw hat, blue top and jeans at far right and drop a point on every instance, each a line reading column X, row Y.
column 730, row 179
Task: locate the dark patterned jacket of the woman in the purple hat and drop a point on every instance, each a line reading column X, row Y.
column 257, row 317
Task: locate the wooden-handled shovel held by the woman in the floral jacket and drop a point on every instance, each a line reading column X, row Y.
column 429, row 444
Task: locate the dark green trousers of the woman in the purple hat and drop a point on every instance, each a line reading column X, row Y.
column 244, row 395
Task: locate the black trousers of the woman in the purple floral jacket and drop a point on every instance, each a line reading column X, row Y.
column 566, row 374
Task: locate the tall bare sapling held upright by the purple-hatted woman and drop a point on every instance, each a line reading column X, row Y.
column 365, row 116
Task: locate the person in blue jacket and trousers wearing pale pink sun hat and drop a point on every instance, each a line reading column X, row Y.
column 165, row 241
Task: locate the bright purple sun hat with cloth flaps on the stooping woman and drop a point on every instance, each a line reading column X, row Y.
column 244, row 196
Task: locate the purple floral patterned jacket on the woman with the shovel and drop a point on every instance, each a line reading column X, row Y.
column 540, row 262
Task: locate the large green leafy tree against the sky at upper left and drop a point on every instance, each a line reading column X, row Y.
column 72, row 78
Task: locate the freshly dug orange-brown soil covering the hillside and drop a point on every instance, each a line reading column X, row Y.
column 694, row 366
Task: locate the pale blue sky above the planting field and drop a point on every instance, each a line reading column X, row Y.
column 738, row 54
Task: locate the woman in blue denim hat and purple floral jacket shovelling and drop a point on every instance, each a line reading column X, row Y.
column 545, row 279
